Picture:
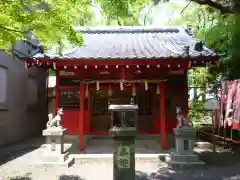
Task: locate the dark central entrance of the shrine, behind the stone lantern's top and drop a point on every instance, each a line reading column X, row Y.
column 100, row 118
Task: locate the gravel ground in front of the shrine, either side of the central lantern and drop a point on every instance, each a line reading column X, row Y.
column 94, row 170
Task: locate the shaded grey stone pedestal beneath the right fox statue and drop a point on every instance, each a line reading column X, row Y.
column 184, row 155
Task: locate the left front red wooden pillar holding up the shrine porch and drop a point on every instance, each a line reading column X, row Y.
column 81, row 117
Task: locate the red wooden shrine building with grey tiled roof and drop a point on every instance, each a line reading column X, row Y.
column 124, row 65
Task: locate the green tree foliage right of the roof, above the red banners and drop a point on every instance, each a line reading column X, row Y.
column 220, row 32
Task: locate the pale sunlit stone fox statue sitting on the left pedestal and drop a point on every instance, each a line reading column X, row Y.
column 55, row 122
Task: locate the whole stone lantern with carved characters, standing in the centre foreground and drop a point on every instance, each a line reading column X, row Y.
column 123, row 133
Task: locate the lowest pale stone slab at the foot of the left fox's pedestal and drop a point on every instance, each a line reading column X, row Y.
column 69, row 162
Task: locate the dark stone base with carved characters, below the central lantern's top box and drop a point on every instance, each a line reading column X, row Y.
column 124, row 152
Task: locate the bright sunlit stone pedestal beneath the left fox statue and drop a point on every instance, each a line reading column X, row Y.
column 54, row 153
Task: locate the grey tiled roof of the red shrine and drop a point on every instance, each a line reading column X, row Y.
column 135, row 43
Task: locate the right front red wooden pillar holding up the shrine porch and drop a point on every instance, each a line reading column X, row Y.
column 162, row 117
